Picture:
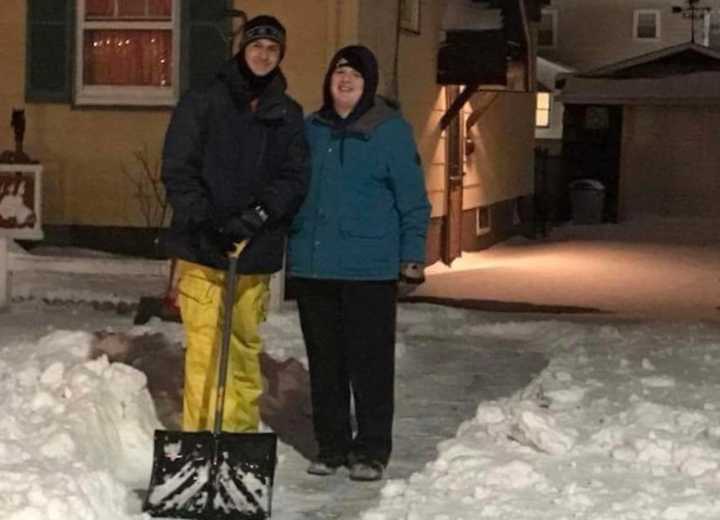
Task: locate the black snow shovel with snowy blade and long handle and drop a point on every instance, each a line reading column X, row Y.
column 214, row 475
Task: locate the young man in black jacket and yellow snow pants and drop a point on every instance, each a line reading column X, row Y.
column 235, row 168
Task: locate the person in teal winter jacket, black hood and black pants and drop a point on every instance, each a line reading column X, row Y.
column 359, row 233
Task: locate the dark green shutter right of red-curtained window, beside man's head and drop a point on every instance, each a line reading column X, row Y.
column 204, row 48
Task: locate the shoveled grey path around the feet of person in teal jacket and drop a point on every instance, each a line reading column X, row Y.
column 439, row 383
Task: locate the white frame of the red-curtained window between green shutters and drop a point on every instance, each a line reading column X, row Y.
column 126, row 95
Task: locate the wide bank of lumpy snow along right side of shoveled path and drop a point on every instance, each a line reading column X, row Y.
column 623, row 424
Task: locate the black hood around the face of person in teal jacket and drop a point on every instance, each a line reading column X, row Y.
column 362, row 60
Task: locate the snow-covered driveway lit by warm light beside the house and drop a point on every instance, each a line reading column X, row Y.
column 646, row 269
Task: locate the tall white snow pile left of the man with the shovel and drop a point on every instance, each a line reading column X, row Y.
column 75, row 435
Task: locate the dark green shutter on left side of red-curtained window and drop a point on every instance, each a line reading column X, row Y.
column 48, row 63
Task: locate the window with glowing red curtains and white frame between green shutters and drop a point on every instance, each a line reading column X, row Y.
column 127, row 52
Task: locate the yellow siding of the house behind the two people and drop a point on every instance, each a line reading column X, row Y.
column 85, row 150
